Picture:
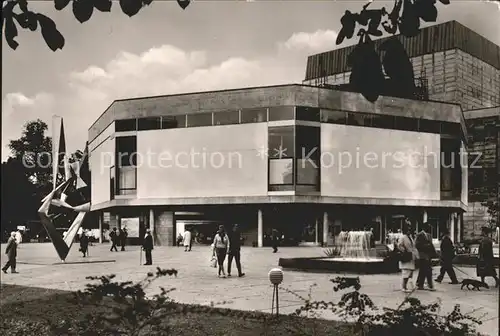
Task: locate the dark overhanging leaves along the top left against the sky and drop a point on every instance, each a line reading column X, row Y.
column 16, row 13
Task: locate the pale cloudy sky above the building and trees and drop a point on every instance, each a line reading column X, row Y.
column 165, row 50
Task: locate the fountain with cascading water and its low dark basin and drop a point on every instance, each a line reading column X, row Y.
column 352, row 254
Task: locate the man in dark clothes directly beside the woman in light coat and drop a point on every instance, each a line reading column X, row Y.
column 426, row 252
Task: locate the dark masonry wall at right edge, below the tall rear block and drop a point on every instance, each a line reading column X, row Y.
column 484, row 166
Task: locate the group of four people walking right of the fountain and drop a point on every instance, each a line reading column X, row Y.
column 418, row 248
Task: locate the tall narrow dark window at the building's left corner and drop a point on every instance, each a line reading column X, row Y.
column 126, row 168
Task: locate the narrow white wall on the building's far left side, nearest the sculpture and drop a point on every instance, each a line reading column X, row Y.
column 101, row 159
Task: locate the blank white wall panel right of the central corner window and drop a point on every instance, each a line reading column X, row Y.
column 384, row 163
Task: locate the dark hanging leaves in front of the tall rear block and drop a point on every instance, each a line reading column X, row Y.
column 367, row 75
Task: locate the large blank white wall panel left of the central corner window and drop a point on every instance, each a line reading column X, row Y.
column 175, row 170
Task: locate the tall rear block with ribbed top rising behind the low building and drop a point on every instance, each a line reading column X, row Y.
column 459, row 65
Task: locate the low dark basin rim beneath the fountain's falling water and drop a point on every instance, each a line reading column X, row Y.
column 344, row 265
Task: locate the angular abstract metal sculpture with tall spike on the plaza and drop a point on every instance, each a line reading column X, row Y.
column 71, row 194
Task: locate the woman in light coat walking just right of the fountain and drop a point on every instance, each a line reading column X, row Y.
column 408, row 254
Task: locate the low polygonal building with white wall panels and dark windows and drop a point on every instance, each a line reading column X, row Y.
column 305, row 160
